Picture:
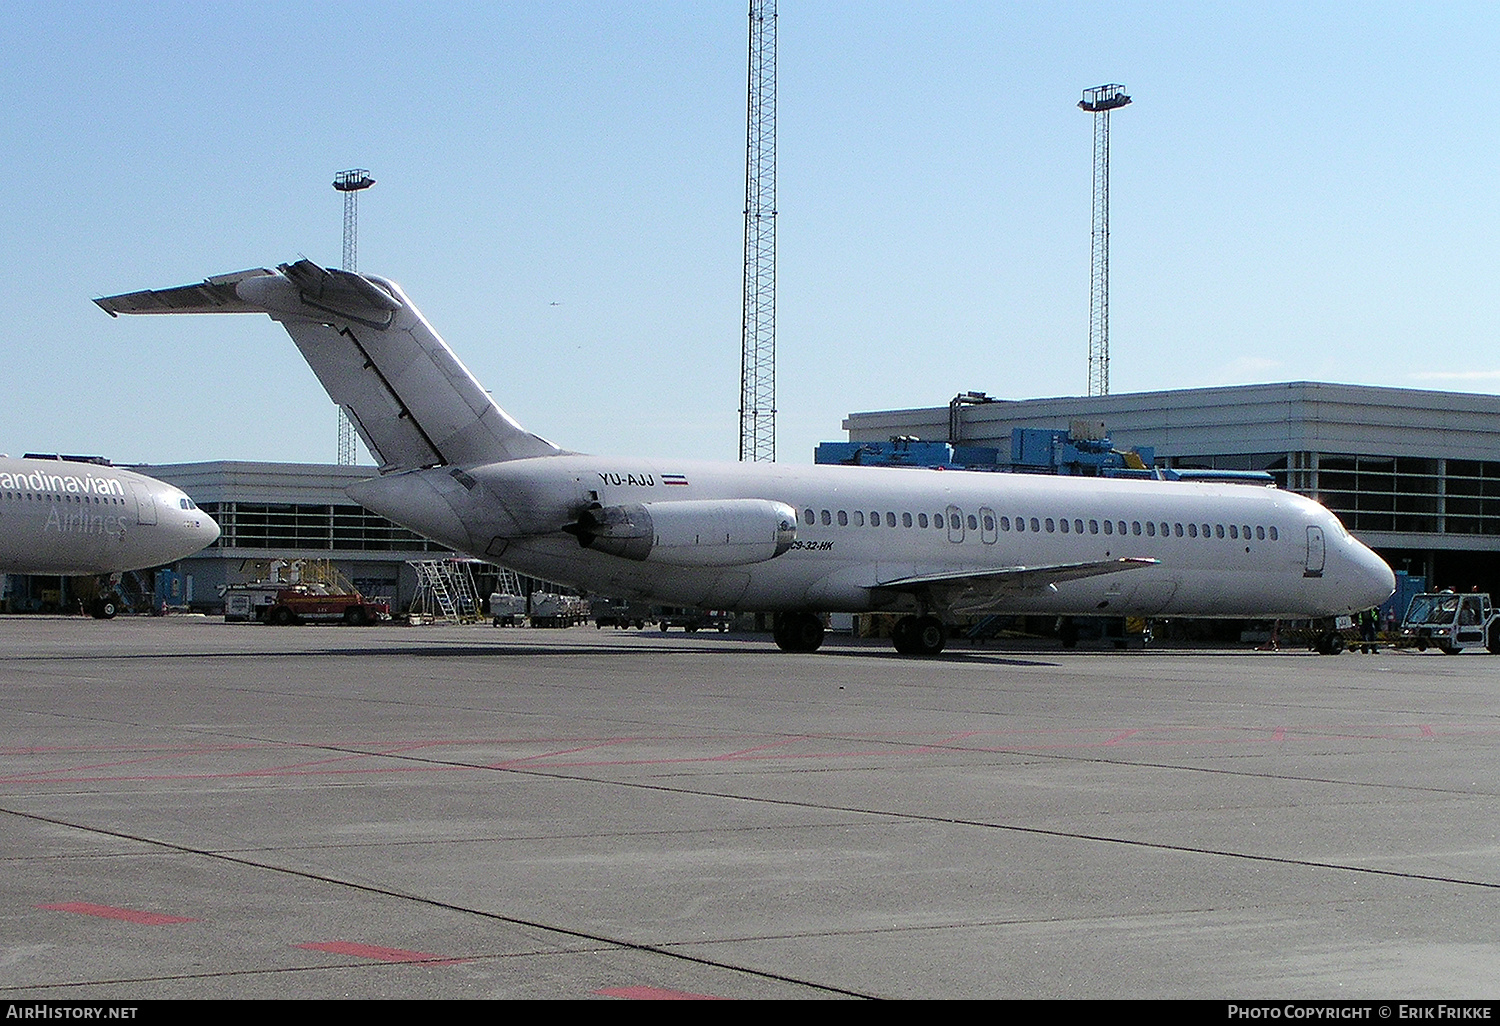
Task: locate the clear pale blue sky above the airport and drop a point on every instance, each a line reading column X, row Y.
column 1300, row 191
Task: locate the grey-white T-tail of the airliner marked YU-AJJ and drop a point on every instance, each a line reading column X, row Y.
column 413, row 401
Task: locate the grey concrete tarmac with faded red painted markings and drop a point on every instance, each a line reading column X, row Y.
column 194, row 809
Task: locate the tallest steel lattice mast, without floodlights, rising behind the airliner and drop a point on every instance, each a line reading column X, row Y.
column 758, row 328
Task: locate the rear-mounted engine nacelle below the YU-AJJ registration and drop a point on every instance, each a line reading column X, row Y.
column 692, row 533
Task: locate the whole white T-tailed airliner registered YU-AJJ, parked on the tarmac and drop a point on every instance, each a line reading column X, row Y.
column 769, row 538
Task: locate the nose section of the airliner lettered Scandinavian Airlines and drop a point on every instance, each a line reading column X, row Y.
column 73, row 518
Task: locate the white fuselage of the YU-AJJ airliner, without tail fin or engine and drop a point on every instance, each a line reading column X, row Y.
column 1222, row 550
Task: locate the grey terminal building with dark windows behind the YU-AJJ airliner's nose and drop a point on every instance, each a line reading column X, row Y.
column 1412, row 473
